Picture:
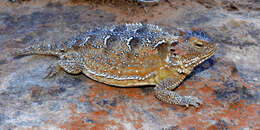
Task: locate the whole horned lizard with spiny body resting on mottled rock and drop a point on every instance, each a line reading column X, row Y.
column 129, row 55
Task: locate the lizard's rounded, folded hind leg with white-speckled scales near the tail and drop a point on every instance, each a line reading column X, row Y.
column 71, row 63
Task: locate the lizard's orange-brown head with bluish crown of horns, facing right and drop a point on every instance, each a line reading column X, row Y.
column 186, row 54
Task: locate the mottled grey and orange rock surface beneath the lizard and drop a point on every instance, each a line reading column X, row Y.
column 228, row 83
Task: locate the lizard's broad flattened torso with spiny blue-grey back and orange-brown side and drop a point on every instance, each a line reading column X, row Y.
column 123, row 55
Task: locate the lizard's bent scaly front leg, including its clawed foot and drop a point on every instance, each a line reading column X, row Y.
column 163, row 92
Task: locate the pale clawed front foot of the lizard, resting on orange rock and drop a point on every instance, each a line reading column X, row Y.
column 190, row 100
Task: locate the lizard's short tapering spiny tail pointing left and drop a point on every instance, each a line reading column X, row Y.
column 40, row 49
